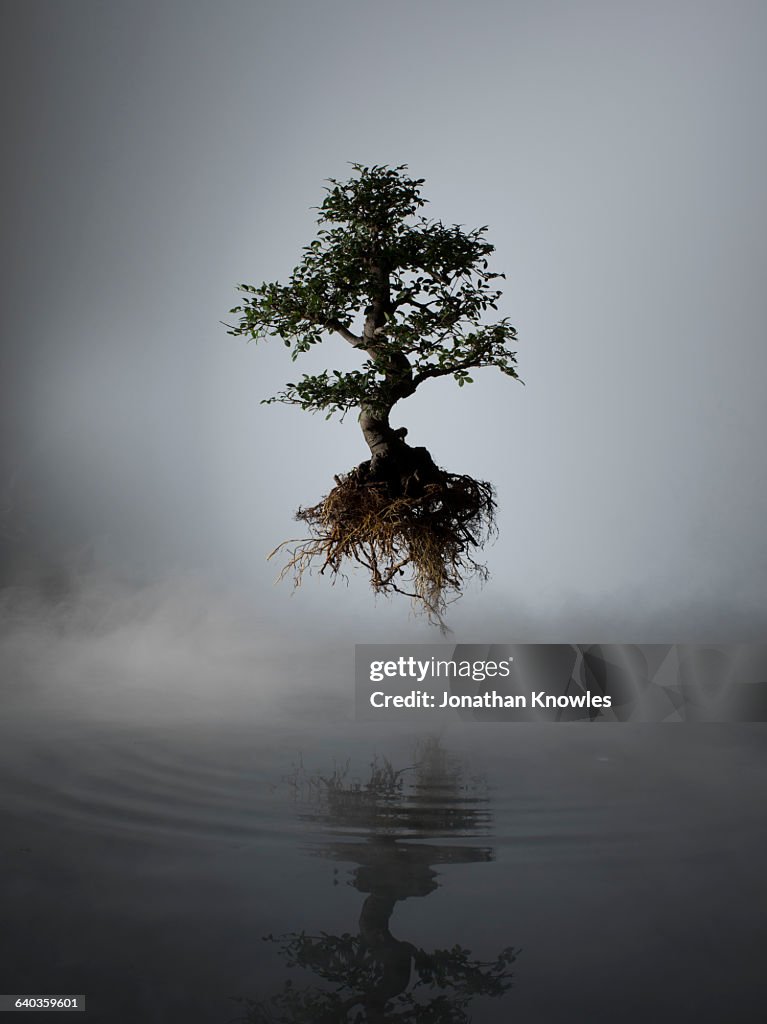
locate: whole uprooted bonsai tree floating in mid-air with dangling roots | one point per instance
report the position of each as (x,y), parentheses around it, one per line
(412,296)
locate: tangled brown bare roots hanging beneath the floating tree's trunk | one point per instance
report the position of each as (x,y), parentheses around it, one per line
(418,546)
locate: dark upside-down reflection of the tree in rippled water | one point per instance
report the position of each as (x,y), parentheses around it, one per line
(372,977)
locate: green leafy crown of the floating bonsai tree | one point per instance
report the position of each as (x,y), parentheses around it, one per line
(411,294)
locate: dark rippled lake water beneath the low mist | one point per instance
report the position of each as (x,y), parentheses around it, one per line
(175,850)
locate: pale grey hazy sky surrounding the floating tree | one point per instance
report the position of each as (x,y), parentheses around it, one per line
(159,153)
